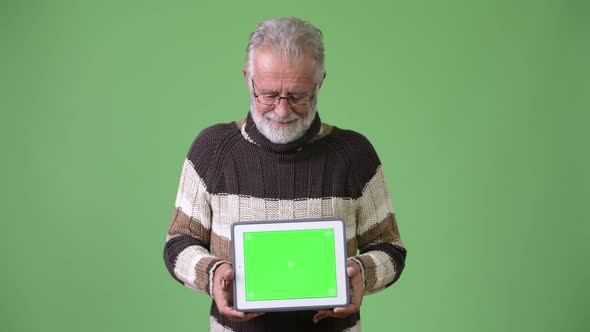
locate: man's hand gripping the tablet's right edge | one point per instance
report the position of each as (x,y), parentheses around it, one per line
(357,290)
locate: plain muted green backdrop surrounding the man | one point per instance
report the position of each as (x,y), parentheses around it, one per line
(479,111)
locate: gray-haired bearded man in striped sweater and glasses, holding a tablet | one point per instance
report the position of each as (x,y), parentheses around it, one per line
(282,162)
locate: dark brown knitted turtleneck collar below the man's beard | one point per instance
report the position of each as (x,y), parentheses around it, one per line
(258,138)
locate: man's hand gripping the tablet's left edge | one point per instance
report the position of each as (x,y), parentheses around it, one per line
(223,294)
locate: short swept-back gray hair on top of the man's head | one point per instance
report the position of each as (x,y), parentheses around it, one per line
(288,37)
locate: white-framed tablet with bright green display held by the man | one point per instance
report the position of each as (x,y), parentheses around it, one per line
(289,265)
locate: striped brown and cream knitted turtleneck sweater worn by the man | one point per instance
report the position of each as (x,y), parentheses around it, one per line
(233,173)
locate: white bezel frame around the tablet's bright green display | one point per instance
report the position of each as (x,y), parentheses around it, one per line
(240,302)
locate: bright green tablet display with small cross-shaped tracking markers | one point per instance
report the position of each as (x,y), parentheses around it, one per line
(294,264)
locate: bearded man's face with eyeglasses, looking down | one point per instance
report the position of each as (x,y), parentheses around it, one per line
(281,122)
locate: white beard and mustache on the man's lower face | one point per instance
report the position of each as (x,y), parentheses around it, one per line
(283,134)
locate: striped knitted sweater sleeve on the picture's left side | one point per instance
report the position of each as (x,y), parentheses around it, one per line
(186,252)
